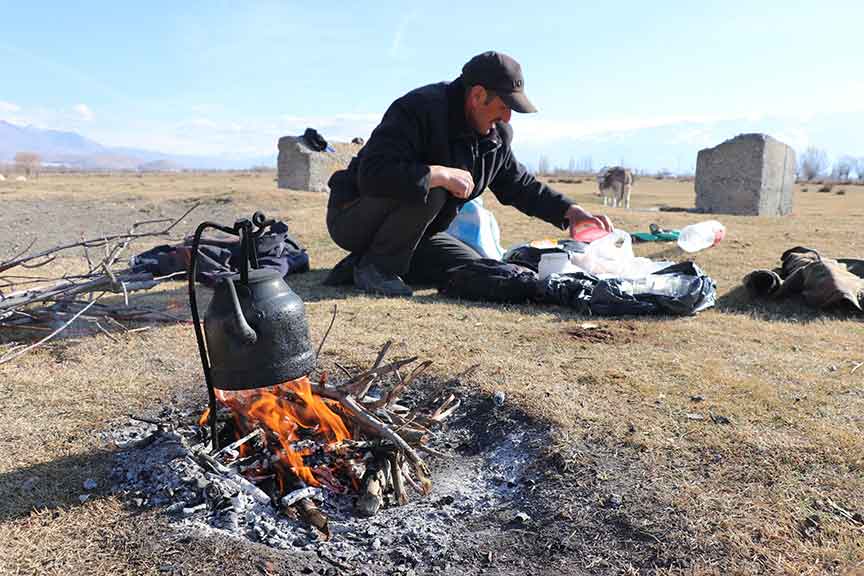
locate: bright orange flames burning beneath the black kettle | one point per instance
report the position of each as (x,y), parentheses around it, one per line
(282,410)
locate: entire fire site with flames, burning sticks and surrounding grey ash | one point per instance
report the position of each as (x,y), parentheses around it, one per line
(358,501)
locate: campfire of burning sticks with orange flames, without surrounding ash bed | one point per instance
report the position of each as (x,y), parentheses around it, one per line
(292,444)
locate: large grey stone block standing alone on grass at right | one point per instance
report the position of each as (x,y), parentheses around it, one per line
(751,174)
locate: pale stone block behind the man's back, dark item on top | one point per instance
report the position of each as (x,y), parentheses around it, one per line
(302,168)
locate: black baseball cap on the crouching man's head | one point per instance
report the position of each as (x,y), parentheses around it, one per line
(501,73)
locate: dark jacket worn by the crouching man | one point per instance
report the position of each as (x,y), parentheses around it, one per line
(425,127)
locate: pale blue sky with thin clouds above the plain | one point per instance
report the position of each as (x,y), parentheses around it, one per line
(229,78)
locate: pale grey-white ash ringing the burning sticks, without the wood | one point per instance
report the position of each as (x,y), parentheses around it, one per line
(156,470)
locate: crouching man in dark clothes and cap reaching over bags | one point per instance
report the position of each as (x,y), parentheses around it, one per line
(436,148)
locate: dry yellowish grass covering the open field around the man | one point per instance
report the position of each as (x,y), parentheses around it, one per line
(779,373)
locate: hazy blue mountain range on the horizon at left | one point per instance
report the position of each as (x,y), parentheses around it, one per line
(72,150)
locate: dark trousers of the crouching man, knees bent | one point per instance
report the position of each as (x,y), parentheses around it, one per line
(391,235)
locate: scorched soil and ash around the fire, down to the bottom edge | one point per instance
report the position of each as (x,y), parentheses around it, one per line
(507,499)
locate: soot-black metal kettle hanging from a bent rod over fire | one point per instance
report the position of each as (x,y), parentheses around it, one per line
(255,326)
